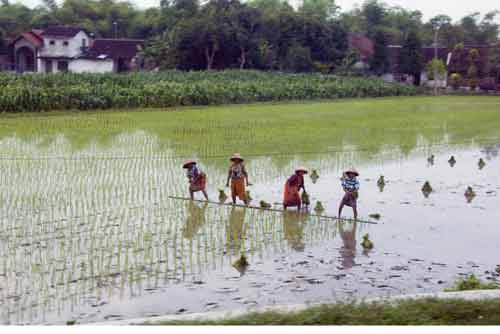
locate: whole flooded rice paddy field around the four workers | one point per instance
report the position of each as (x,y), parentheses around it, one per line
(88,231)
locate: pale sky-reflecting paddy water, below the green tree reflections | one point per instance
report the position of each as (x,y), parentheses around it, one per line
(92,235)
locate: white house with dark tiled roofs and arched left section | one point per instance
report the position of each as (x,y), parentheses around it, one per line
(72,49)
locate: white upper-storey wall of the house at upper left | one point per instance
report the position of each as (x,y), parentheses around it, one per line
(60,50)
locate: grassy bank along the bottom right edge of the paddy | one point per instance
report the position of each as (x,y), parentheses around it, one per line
(415,312)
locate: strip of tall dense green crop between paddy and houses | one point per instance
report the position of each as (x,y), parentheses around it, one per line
(172,88)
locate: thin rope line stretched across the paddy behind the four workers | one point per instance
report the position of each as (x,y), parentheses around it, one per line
(224,156)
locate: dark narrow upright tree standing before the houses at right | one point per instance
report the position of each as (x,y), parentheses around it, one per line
(411,56)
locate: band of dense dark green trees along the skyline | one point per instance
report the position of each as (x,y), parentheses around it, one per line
(258,34)
